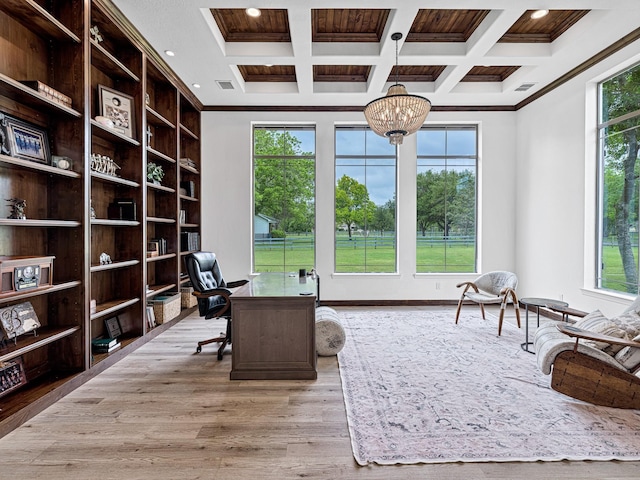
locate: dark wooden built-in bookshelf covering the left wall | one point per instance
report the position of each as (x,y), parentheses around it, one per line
(68,210)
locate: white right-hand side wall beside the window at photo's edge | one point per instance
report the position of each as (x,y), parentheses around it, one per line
(556,200)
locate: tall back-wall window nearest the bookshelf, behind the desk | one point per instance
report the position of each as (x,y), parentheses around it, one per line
(284,198)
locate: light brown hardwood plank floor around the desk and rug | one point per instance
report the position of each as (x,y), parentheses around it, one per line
(164,412)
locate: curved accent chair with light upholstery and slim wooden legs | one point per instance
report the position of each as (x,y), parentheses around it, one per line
(492,288)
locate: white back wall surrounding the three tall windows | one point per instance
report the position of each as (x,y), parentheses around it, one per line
(227,201)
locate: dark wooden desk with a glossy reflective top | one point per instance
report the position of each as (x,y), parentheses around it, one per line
(273,328)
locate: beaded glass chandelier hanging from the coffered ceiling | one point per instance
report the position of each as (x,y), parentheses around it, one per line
(397,114)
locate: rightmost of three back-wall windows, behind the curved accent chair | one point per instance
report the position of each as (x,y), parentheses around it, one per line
(446,203)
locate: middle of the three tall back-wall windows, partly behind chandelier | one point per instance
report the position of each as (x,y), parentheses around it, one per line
(365,202)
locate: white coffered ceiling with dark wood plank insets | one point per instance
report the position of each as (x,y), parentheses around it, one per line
(331,53)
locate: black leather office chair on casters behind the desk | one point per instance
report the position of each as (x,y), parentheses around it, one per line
(212,292)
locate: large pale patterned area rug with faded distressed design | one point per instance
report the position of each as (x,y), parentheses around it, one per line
(420,389)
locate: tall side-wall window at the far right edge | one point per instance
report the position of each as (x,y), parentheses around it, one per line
(619,134)
